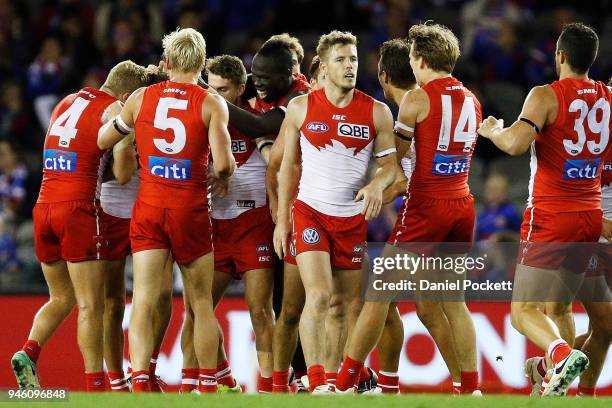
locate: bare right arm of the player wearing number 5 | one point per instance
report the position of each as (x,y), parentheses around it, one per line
(218,136)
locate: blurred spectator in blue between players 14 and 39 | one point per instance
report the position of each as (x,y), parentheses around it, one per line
(497,215)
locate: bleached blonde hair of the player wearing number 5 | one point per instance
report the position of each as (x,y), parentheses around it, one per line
(185,49)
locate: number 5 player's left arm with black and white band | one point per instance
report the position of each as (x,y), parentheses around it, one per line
(122,124)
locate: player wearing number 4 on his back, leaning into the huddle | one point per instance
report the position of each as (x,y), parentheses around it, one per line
(68,233)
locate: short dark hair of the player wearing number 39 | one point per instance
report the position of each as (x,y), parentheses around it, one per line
(579,42)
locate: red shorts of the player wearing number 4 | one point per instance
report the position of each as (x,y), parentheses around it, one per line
(68,230)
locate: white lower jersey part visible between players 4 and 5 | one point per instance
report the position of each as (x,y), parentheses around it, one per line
(118,199)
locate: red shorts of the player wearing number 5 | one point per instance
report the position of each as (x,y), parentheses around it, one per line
(186,232)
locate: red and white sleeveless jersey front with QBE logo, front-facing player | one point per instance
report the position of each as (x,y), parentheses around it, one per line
(337,145)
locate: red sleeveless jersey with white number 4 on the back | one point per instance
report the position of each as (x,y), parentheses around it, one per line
(72,161)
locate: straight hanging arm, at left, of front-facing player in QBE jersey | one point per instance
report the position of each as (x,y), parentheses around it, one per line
(296,113)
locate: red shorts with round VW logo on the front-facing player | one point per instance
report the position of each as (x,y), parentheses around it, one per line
(343,237)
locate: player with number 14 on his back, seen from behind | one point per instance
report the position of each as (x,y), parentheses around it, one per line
(442,117)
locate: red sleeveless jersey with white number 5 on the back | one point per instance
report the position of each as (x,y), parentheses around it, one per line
(173,147)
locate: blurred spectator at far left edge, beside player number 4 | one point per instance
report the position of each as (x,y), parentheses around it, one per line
(13,177)
